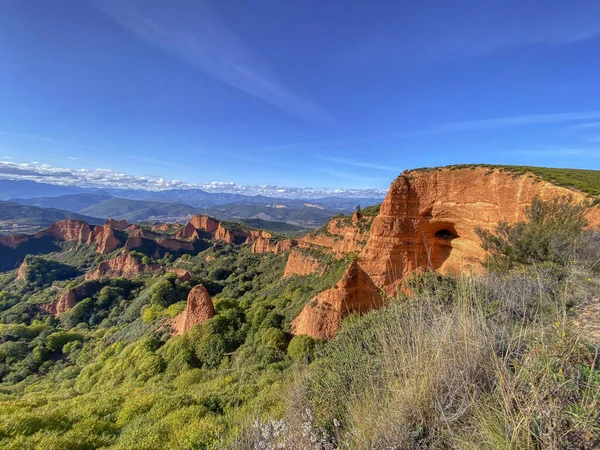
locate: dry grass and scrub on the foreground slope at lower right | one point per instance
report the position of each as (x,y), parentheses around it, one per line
(493,363)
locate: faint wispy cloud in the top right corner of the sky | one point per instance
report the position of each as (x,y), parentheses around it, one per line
(452,33)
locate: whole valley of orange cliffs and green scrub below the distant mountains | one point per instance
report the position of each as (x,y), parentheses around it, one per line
(117,334)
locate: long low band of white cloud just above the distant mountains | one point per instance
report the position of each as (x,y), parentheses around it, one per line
(105,178)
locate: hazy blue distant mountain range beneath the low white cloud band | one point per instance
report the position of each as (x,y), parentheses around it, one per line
(174,204)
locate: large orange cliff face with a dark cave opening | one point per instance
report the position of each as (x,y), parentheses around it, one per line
(428,219)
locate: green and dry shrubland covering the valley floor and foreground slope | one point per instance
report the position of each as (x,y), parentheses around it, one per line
(489,362)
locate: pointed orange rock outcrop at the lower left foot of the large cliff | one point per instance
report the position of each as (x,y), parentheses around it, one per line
(322,316)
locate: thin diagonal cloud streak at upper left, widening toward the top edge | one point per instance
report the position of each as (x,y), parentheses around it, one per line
(193,32)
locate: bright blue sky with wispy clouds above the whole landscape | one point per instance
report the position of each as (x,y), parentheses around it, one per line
(338,94)
